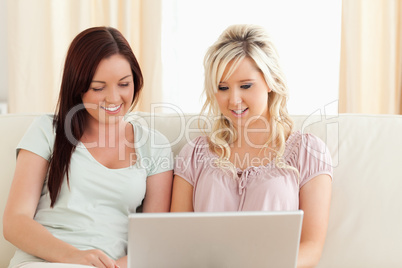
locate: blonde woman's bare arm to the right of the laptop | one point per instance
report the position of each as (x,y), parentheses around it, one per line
(315,198)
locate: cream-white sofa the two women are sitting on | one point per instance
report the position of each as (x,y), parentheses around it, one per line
(365,227)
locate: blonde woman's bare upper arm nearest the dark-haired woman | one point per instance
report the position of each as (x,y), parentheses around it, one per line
(182,198)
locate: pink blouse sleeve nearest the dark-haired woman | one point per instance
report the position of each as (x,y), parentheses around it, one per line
(189,162)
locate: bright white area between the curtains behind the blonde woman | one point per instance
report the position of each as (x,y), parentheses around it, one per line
(307,35)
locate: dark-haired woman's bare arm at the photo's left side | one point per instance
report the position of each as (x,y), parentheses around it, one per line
(24,232)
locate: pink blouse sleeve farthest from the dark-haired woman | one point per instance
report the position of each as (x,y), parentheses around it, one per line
(314,158)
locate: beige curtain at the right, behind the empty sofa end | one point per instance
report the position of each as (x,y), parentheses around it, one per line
(371,57)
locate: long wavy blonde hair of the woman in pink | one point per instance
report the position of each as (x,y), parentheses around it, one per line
(233,45)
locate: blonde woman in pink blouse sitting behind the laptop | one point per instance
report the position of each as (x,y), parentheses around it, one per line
(252,159)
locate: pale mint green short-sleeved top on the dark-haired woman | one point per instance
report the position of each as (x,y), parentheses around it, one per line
(92,212)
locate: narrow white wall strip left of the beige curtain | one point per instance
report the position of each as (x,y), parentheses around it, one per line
(3,52)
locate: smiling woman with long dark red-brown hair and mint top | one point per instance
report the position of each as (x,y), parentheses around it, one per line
(78,173)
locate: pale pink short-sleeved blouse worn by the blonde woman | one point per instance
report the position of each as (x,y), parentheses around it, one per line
(257,188)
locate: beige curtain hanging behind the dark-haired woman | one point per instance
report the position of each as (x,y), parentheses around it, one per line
(40,31)
